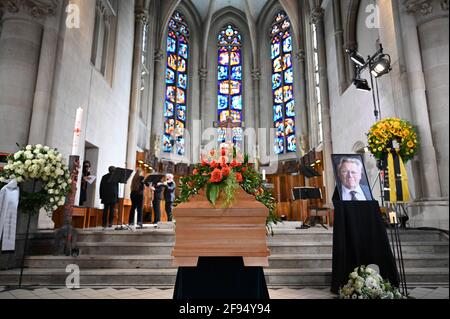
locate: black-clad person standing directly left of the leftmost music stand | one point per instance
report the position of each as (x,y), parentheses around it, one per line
(109,194)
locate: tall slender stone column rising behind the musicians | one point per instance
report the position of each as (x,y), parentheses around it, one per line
(133,120)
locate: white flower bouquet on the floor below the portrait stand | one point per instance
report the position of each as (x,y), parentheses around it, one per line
(366,283)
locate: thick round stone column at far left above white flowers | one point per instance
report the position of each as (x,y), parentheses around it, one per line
(20,44)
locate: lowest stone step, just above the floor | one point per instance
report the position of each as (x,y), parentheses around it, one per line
(164,277)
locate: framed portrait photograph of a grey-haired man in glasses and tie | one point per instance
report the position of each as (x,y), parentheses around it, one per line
(351,177)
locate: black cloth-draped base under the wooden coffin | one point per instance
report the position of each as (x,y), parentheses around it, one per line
(220,278)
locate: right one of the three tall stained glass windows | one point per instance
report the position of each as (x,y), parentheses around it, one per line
(282,85)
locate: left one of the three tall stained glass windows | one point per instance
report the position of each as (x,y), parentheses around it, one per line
(176,85)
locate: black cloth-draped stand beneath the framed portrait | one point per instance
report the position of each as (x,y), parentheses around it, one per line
(360,238)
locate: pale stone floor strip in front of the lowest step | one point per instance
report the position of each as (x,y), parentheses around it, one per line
(167,293)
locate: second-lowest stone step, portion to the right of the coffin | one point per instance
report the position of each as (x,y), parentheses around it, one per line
(325,261)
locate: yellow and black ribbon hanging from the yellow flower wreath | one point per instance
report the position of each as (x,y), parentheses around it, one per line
(396,179)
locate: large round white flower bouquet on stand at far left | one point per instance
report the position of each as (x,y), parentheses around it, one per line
(43,164)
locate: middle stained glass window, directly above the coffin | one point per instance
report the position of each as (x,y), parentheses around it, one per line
(229,76)
